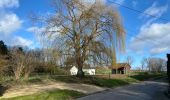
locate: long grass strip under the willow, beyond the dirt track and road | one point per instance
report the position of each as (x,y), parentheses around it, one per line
(93,80)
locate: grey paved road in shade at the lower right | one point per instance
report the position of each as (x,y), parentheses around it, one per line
(149,90)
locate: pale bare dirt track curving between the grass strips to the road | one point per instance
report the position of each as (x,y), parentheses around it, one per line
(31,89)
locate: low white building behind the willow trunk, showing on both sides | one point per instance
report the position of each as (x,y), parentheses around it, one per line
(74,70)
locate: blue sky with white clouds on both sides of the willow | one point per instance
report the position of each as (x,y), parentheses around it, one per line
(146,36)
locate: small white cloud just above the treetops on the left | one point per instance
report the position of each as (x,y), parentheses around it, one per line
(20,41)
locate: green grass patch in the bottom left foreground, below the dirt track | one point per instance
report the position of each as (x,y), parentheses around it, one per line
(50,95)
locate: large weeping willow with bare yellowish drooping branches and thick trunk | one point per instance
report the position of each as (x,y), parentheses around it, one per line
(88,32)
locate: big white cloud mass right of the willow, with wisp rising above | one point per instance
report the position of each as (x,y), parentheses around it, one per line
(153,38)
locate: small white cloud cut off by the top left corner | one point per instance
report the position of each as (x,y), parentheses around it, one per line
(9,3)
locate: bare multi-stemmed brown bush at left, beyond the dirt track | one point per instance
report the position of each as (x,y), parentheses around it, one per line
(23,62)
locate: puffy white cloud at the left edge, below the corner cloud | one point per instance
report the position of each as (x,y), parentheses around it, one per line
(9,22)
